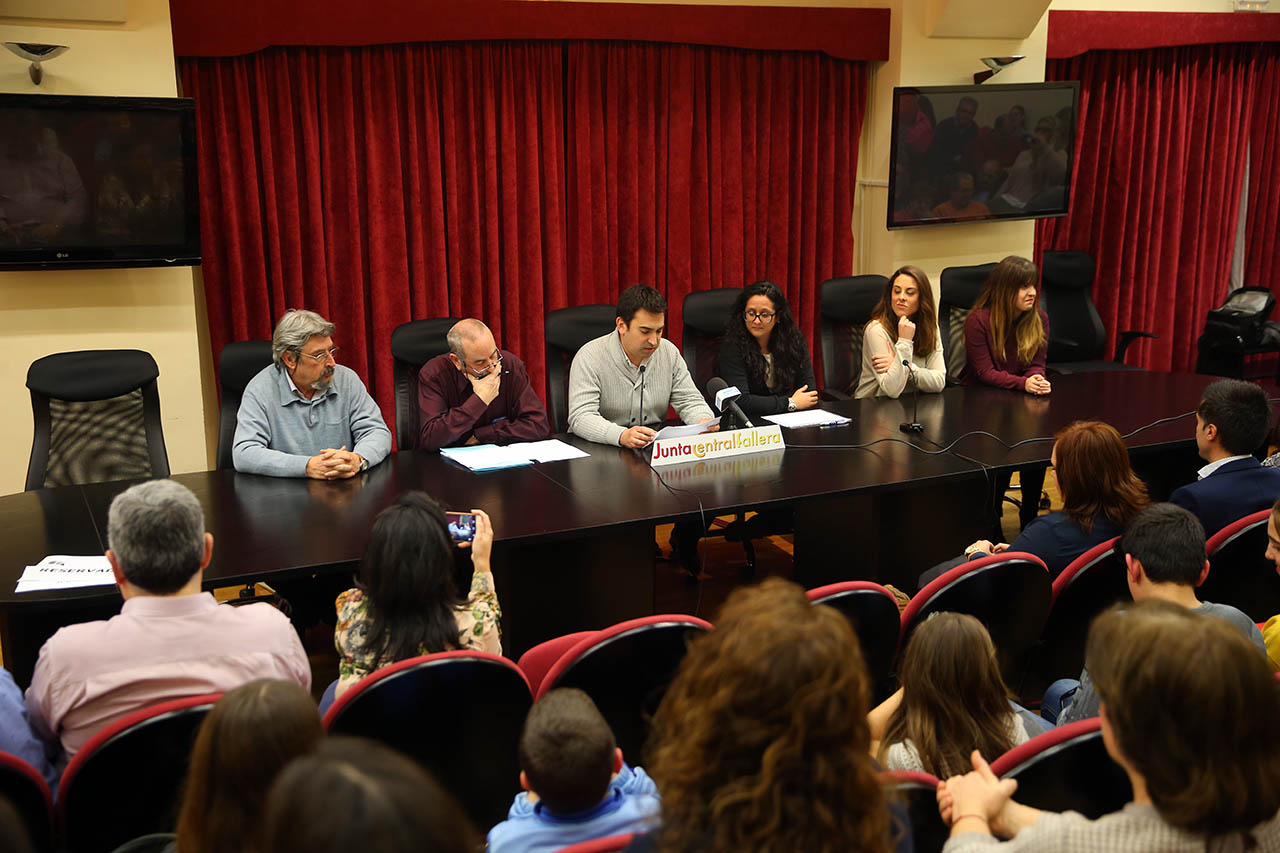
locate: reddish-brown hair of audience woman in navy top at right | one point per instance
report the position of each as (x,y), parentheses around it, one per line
(1095,477)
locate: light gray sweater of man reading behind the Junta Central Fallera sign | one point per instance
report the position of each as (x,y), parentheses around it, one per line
(606,390)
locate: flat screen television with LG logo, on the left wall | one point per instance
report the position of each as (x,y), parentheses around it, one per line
(98,183)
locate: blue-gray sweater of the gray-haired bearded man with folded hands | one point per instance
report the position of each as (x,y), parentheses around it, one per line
(278,430)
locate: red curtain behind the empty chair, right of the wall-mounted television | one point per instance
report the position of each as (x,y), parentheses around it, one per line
(1156,190)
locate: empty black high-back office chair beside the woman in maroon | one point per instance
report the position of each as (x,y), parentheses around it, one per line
(1077,335)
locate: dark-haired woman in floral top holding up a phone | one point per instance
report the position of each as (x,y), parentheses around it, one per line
(405,603)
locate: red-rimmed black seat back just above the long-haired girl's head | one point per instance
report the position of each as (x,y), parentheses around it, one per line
(1007,592)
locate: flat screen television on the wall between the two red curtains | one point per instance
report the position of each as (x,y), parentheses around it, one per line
(981,153)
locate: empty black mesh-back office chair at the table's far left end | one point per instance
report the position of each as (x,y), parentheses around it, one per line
(98,418)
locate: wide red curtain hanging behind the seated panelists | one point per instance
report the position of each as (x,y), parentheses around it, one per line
(505,180)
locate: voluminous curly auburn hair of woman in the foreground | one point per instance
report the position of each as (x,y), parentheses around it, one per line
(762,742)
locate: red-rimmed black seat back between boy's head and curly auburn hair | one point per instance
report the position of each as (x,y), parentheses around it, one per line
(627,669)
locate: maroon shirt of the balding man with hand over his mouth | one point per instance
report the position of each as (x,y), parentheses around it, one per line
(451,413)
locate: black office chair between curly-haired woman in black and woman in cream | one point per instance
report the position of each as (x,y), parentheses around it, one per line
(845,307)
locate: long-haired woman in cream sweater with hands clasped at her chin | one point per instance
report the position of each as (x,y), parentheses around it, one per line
(904,329)
